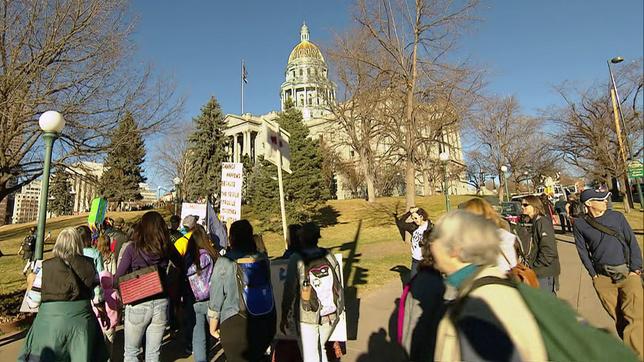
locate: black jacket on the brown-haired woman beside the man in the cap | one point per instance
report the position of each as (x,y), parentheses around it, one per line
(544,257)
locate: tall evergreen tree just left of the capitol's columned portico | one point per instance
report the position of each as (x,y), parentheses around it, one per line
(206,151)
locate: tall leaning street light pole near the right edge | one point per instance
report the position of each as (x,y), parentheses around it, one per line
(624,147)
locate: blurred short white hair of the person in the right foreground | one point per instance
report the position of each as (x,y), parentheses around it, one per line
(474,237)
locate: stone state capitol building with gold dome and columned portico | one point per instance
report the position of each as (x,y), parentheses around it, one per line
(308,86)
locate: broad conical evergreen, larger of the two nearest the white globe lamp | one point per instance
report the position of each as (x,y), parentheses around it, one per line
(123,171)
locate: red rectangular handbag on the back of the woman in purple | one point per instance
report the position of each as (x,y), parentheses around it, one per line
(141,284)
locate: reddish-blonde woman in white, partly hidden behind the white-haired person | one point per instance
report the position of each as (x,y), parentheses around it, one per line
(508,256)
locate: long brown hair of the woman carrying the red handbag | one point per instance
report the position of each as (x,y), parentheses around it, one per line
(151,235)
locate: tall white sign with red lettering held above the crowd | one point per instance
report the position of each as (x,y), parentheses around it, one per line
(232,179)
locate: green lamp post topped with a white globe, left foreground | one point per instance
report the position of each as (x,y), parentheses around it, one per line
(51,123)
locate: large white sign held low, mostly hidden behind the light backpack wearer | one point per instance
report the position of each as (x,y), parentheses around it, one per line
(278,278)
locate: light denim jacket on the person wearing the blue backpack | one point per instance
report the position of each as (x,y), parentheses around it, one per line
(224,293)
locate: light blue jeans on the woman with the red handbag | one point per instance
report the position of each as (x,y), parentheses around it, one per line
(147,319)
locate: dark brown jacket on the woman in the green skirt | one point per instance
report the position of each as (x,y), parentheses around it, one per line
(62,282)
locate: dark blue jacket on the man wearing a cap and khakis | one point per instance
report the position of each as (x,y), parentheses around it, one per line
(606,249)
